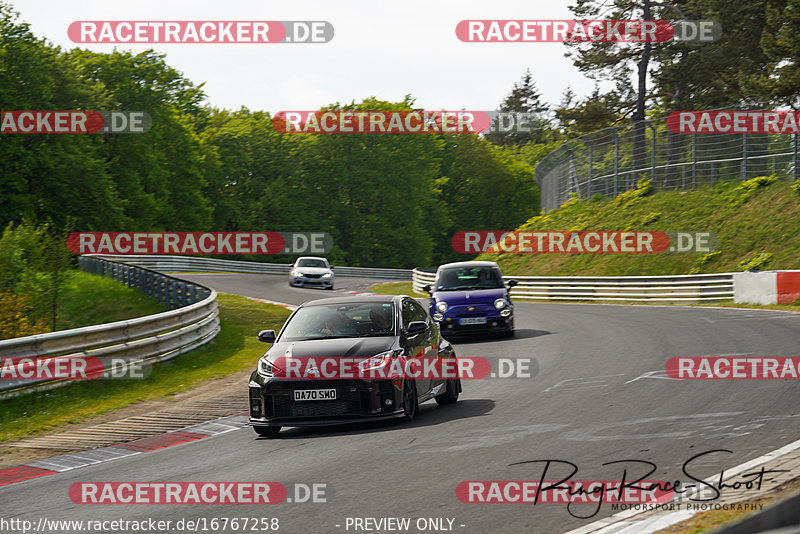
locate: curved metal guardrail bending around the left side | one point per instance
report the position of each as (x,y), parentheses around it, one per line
(192,322)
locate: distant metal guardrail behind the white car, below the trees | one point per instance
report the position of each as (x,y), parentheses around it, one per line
(173,264)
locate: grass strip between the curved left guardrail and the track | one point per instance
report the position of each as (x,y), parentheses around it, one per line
(234,349)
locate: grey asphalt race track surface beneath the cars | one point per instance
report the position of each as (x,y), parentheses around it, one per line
(599,394)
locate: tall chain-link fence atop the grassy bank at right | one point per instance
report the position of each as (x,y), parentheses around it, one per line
(610,161)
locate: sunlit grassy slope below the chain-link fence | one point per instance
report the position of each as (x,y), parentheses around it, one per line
(748,219)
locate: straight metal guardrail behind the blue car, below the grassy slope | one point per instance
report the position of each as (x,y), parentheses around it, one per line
(671,288)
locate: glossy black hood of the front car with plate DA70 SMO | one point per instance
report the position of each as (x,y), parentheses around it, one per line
(362,347)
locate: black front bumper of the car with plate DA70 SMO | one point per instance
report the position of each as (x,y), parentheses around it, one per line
(272,402)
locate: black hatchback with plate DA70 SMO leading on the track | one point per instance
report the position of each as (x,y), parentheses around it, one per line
(299,380)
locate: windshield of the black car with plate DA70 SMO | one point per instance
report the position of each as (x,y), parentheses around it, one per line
(360,319)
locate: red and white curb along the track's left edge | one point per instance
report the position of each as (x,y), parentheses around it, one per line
(76,460)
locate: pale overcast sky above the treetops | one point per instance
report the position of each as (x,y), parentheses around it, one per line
(382,49)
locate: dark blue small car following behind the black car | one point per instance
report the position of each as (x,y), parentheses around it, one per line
(469,297)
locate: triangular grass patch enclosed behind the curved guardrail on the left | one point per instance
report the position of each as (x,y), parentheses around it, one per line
(88,300)
